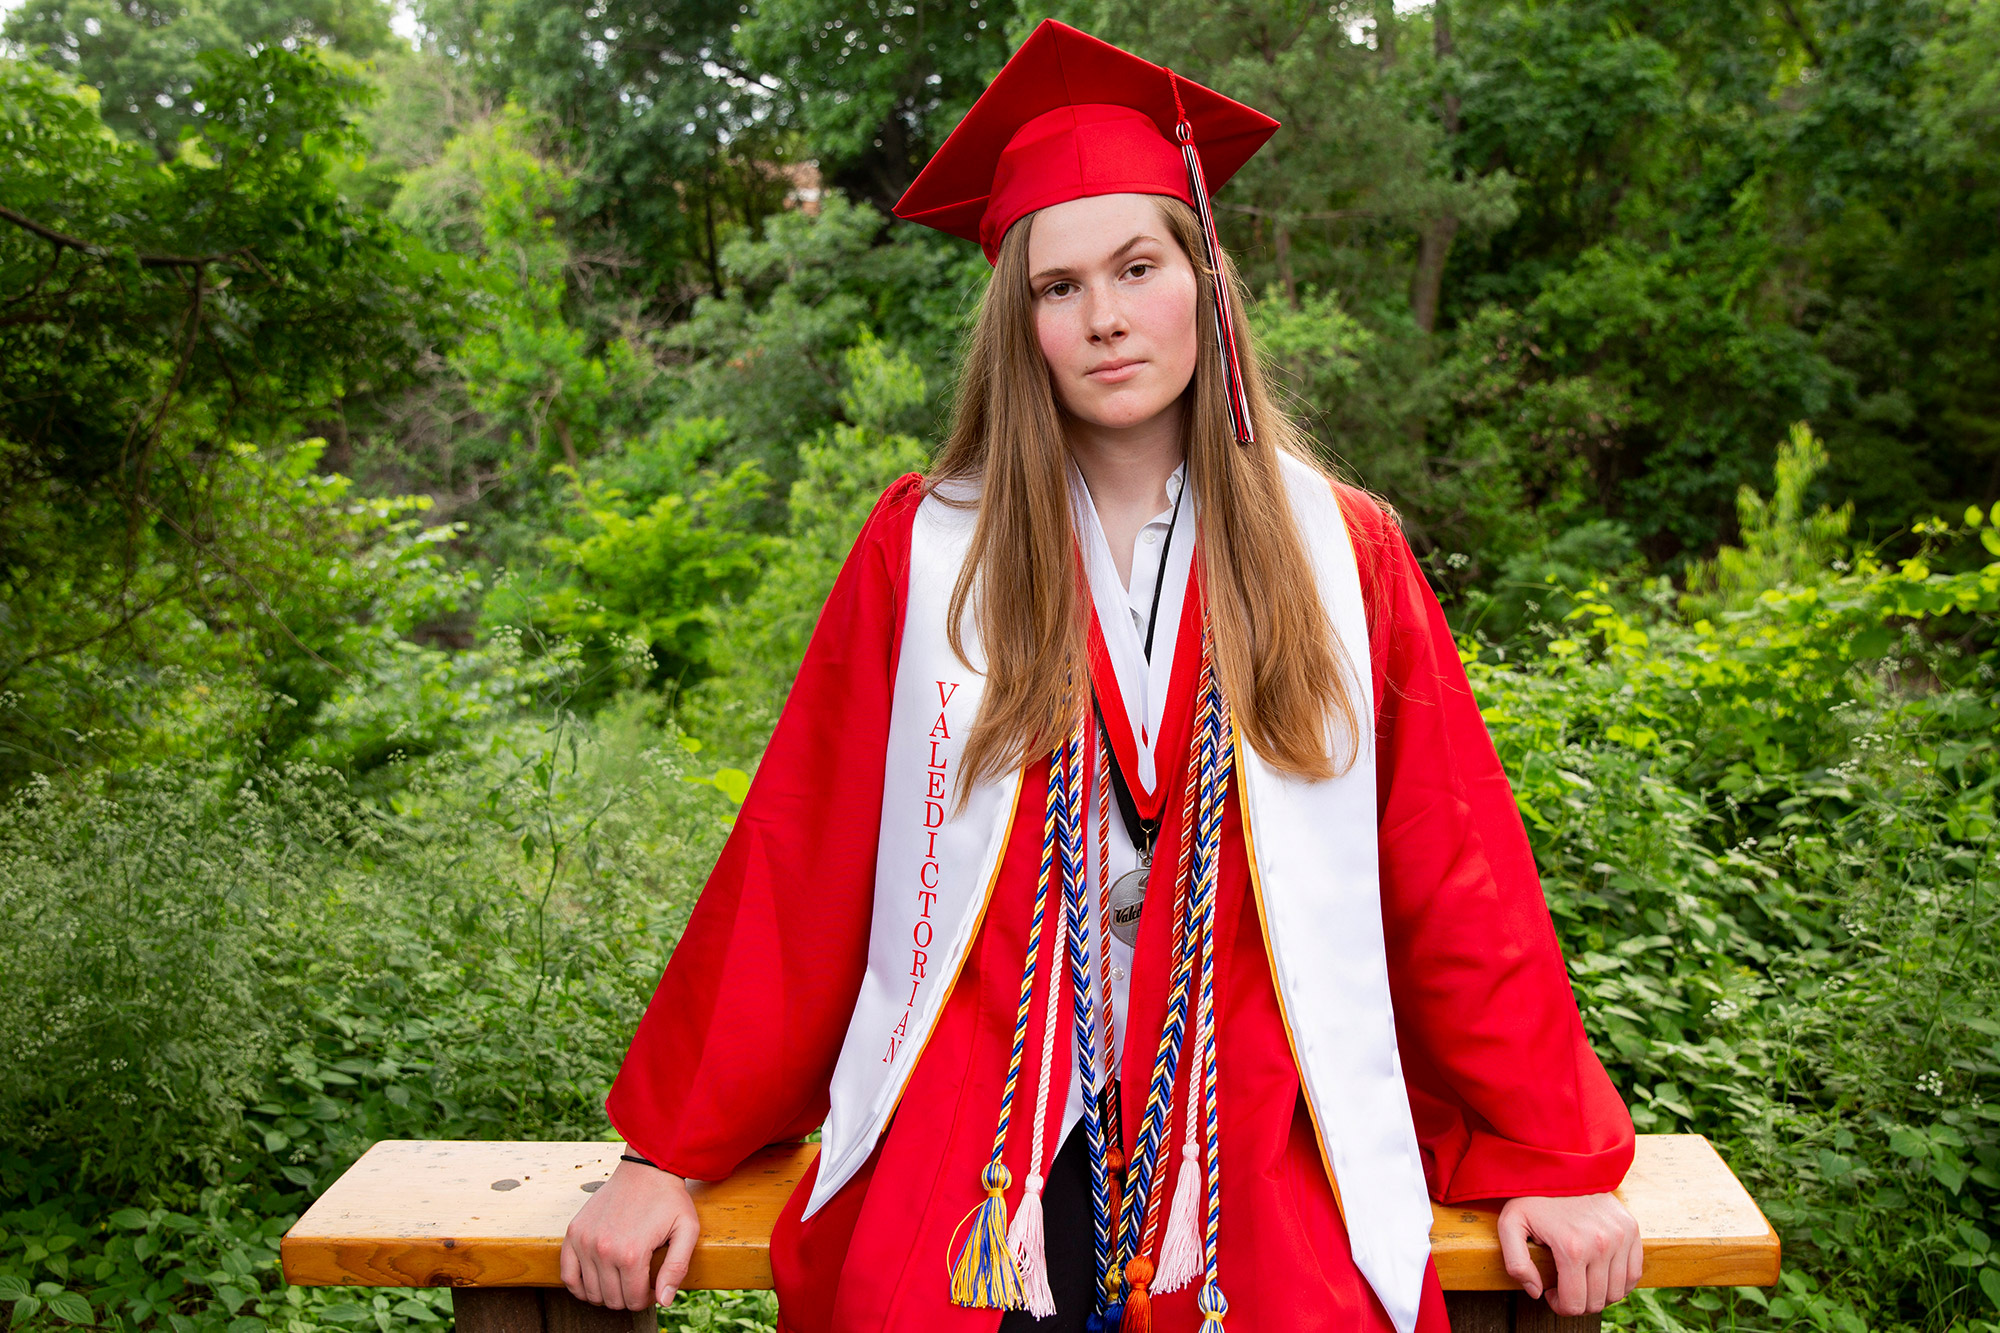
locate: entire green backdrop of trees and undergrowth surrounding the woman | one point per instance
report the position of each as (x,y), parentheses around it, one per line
(345,810)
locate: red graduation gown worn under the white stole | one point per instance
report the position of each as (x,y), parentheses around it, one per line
(741,1040)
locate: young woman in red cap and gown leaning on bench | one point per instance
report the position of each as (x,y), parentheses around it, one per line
(1131,888)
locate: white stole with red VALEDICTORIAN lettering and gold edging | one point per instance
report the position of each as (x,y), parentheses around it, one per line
(1313,870)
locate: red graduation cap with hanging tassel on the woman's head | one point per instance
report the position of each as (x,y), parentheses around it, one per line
(1073,117)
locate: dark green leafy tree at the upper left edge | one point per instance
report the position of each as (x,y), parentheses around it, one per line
(165,327)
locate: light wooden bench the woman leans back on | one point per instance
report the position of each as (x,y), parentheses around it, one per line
(489,1220)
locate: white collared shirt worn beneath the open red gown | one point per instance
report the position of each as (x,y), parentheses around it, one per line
(1143,684)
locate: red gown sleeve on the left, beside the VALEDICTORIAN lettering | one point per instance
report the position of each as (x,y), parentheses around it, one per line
(739,1044)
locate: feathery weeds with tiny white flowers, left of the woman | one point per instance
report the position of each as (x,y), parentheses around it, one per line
(461,960)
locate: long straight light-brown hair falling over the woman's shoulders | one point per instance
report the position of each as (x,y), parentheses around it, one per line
(1277,659)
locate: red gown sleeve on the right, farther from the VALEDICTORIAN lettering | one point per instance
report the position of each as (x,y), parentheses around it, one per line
(1507,1092)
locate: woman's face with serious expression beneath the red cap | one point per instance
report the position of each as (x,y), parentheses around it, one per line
(1113,309)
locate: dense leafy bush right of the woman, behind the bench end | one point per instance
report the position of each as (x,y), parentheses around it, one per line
(1769,846)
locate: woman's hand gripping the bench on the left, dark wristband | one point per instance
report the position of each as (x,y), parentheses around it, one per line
(607,1254)
